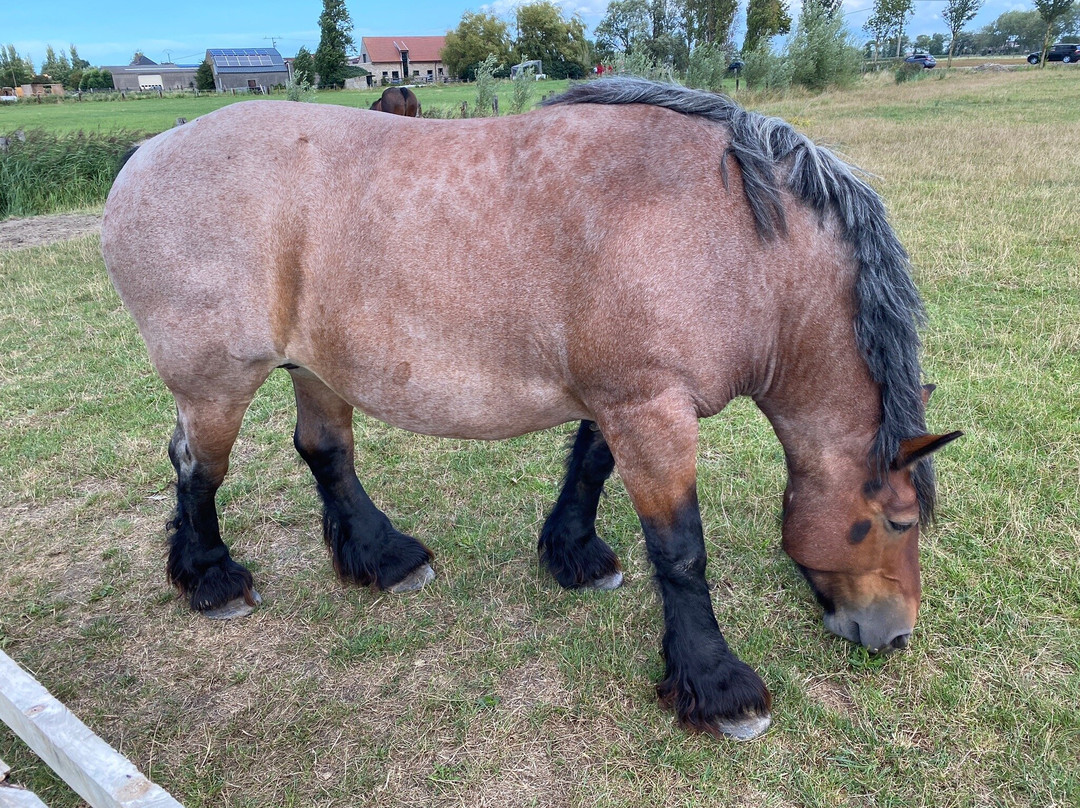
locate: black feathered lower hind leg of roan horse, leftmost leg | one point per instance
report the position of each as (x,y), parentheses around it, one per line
(199,564)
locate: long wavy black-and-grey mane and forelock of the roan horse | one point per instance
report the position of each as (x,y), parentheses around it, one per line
(772,156)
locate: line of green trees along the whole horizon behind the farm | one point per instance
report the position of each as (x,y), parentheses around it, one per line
(692,39)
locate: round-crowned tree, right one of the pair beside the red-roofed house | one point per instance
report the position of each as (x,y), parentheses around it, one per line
(544,34)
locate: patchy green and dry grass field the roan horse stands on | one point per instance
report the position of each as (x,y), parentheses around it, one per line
(494,688)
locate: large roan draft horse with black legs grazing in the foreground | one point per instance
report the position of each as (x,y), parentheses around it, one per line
(701,253)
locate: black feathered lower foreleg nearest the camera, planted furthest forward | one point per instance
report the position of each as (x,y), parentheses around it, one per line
(706,684)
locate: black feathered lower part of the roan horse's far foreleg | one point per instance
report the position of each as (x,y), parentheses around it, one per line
(569,545)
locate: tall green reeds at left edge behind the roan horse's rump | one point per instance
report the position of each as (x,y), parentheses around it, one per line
(46,172)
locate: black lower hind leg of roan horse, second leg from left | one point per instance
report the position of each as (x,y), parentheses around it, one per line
(364,545)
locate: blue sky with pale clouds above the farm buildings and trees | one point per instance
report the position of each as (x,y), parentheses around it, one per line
(182,33)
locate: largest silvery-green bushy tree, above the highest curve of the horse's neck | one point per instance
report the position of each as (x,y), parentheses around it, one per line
(821,50)
